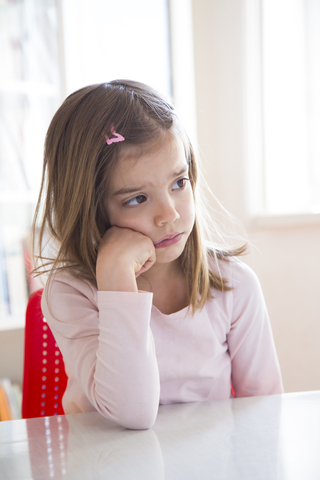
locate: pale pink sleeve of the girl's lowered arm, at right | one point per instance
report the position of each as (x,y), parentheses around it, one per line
(254,363)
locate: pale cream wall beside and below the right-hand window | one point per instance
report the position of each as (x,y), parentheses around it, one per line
(287,258)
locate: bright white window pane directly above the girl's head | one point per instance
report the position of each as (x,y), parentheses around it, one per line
(105,39)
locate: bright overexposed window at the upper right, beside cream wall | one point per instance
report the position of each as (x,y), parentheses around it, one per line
(284,106)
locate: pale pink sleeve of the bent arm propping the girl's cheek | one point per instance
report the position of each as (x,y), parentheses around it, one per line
(107,344)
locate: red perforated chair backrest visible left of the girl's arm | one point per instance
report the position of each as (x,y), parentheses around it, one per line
(44,376)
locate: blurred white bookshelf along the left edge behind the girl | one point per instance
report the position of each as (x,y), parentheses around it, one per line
(30,93)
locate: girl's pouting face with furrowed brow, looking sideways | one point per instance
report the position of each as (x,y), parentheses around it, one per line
(150,193)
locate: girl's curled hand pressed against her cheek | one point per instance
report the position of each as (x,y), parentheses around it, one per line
(123,255)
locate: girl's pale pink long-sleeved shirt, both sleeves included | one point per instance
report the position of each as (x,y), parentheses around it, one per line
(123,356)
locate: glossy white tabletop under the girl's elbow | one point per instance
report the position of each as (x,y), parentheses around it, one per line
(273,437)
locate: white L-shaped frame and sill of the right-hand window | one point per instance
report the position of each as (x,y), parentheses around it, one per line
(255,193)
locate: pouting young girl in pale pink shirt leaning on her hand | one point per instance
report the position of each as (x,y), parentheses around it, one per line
(143,308)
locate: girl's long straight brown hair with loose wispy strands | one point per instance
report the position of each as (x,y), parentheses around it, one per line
(78,165)
